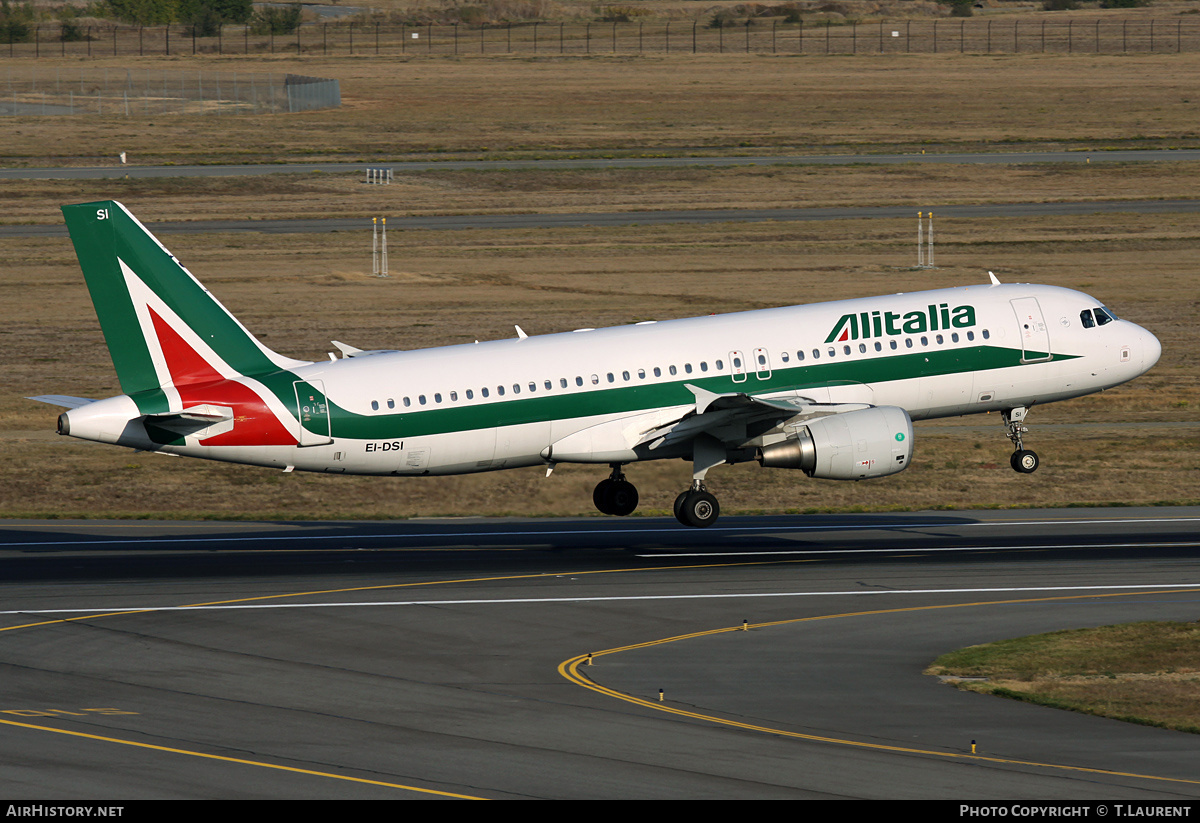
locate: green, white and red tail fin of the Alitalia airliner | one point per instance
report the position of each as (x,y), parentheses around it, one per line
(161,326)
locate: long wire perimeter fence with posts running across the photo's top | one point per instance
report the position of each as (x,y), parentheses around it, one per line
(975,37)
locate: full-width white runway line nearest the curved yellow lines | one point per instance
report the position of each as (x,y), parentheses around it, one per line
(500,602)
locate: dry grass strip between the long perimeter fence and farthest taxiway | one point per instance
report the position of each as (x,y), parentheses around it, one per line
(517,106)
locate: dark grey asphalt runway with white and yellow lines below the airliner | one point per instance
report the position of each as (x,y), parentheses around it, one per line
(449,658)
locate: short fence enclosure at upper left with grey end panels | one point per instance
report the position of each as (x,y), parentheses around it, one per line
(37,91)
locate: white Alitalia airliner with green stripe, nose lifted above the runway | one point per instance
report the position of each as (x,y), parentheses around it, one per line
(830,389)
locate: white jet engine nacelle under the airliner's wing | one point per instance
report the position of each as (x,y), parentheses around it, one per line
(868,443)
